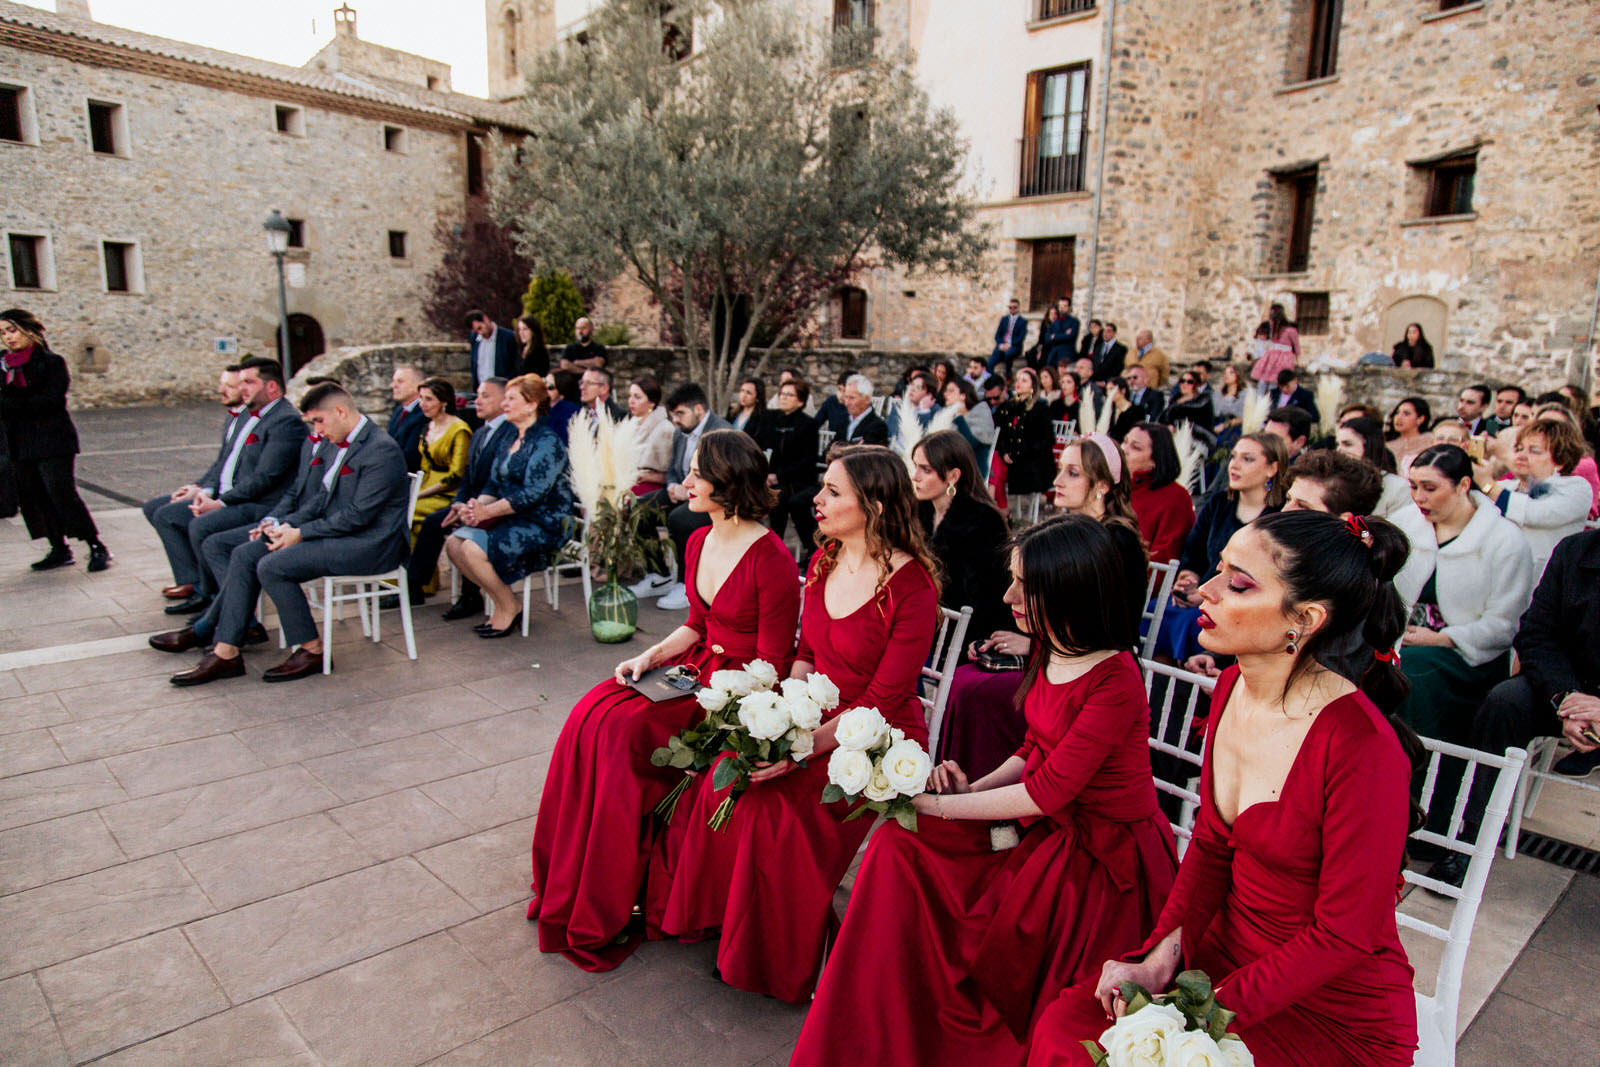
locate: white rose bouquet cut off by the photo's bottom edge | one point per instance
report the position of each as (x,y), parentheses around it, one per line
(1185,1028)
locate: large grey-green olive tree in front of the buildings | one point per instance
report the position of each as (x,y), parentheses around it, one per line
(758,172)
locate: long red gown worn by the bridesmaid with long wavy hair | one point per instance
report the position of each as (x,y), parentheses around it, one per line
(769,877)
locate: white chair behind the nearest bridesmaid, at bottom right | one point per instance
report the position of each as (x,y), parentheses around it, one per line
(1436,1017)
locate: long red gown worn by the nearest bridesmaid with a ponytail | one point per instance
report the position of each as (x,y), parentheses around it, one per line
(1292,911)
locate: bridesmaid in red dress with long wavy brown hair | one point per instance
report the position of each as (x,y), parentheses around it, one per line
(767,881)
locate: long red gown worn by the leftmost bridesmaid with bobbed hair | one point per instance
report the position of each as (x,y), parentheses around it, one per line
(593,841)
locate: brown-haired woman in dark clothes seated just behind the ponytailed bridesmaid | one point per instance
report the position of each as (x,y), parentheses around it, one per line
(1255,487)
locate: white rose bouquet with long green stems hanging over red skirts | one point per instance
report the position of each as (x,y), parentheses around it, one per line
(751,717)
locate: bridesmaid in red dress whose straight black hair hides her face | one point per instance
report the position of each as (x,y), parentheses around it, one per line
(950,948)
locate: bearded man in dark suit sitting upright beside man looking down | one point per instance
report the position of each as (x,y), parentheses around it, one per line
(257,471)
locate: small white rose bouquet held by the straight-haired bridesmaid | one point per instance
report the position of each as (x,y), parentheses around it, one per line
(876,765)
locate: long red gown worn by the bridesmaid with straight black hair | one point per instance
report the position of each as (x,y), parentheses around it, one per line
(950,949)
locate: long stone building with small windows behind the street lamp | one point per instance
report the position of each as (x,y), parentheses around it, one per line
(138,174)
